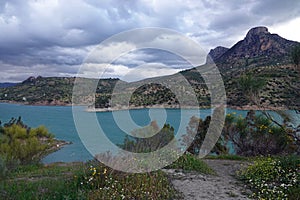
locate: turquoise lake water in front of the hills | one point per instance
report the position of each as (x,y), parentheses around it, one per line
(59,121)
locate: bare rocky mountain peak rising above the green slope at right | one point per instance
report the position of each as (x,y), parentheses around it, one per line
(258,48)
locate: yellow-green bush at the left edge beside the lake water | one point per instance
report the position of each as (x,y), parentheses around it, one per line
(19,143)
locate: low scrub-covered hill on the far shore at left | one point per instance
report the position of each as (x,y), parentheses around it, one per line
(52,90)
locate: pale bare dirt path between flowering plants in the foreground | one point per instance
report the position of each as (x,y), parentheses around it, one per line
(194,186)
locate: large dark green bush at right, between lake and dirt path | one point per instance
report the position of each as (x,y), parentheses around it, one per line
(256,135)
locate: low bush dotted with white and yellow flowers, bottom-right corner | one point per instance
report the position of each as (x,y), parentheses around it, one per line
(273,178)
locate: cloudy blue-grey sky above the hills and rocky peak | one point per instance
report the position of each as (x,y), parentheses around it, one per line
(55,37)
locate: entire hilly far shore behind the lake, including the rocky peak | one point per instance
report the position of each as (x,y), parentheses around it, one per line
(262,54)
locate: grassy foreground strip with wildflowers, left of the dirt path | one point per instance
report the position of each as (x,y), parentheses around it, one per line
(90,180)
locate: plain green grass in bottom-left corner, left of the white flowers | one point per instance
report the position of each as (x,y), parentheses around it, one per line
(40,182)
